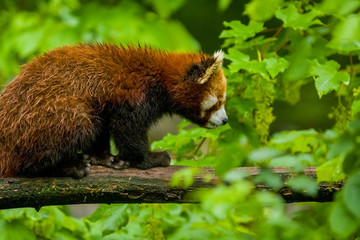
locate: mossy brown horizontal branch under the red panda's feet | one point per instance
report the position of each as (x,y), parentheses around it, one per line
(105,185)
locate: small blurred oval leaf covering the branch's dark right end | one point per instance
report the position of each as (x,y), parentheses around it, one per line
(304,184)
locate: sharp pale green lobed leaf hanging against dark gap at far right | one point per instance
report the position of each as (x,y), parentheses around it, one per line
(327,77)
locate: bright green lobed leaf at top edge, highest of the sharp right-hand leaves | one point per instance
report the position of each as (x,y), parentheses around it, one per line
(292,18)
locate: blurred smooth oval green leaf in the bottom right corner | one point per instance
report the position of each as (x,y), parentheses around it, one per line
(341,221)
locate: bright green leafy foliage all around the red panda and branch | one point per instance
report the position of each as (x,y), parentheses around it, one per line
(272,54)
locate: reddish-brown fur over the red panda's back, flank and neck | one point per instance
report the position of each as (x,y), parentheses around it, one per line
(56,99)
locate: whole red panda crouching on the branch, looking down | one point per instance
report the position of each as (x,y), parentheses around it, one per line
(72,99)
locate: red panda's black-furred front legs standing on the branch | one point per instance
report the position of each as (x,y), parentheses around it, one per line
(129,125)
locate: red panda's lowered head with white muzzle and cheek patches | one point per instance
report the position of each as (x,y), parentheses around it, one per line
(207,85)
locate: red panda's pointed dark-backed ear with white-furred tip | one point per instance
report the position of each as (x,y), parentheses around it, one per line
(201,72)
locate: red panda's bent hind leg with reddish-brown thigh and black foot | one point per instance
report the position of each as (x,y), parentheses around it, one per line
(57,140)
